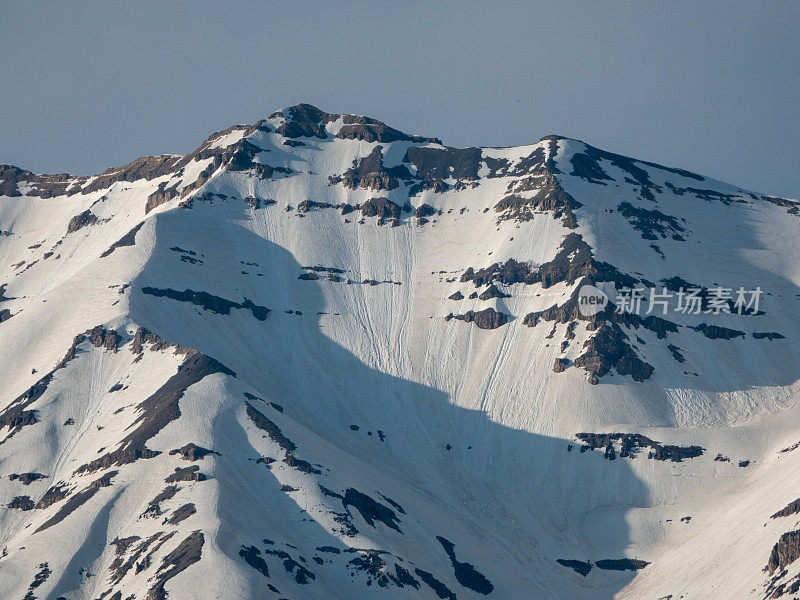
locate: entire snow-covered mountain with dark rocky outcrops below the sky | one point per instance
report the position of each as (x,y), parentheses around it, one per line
(322,358)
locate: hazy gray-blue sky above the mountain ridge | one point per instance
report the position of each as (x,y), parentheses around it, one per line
(709,86)
